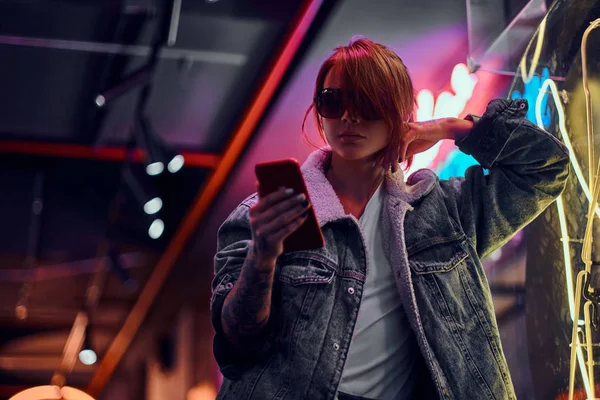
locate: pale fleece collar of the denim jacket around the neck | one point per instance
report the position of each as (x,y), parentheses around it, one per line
(327,205)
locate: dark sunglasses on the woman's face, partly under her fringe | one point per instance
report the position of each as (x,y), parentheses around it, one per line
(333,102)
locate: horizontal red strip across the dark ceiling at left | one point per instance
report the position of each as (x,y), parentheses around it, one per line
(114,153)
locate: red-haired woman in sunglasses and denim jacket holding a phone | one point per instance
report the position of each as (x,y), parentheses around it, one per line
(396,305)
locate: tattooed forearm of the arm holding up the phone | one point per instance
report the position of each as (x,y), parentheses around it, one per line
(247,307)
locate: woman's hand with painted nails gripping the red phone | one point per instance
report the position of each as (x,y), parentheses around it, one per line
(273,218)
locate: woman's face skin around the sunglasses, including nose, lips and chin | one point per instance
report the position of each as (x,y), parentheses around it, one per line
(354,139)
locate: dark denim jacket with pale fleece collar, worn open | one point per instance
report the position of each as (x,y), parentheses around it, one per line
(435,232)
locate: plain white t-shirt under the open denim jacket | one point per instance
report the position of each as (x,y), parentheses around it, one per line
(381,357)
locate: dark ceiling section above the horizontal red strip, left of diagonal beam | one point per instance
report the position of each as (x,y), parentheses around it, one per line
(48,92)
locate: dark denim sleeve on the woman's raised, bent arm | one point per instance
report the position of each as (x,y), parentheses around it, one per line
(527,171)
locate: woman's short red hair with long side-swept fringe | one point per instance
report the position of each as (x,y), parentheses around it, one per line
(373,72)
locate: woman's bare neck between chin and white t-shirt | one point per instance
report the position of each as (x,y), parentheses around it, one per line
(357,180)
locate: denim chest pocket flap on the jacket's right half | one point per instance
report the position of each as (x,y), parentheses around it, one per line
(438,256)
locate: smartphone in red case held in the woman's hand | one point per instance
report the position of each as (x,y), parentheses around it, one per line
(273,175)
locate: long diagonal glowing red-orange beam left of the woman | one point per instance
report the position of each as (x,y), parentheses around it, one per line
(206,195)
